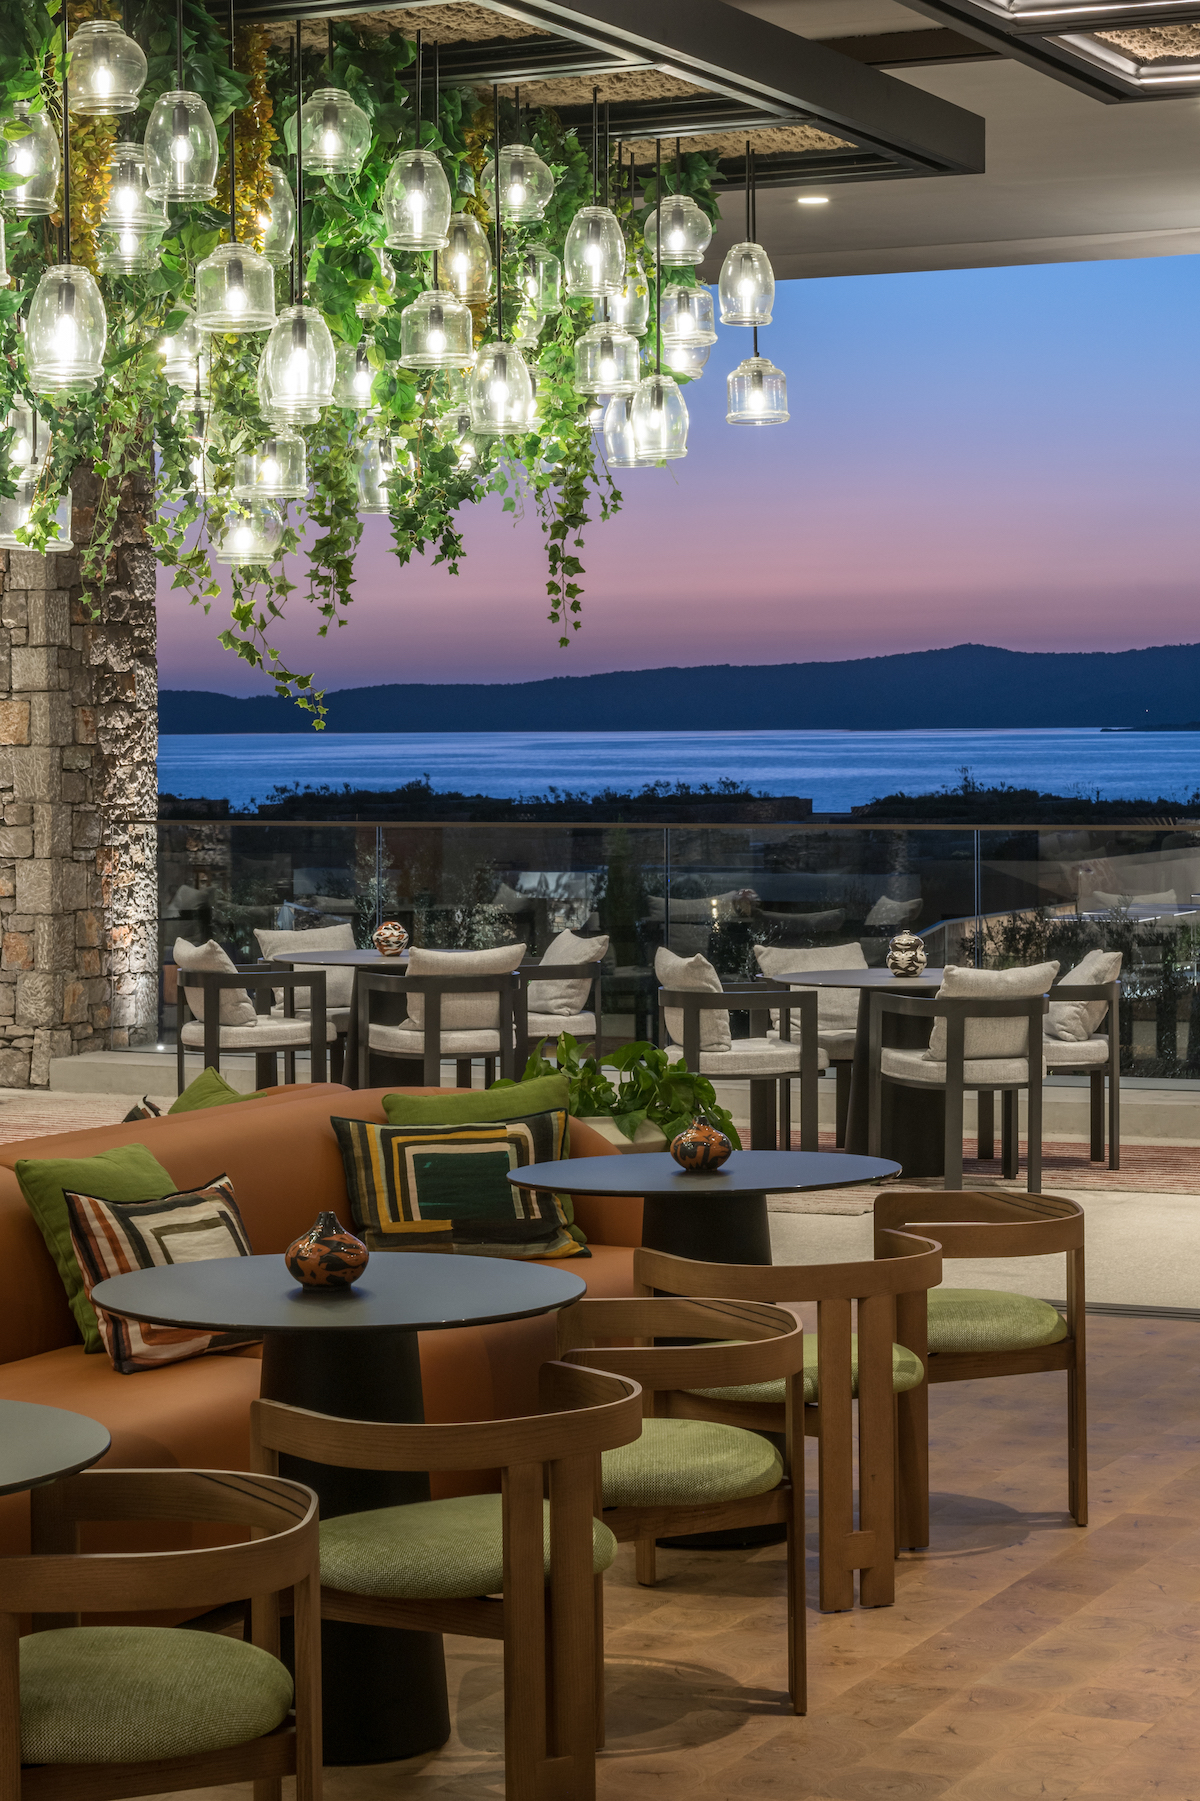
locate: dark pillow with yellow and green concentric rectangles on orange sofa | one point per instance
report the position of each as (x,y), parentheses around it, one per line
(446,1188)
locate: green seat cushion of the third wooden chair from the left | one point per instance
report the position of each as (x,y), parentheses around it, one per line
(689,1462)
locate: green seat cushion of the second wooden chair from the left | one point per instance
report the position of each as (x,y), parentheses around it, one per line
(432,1550)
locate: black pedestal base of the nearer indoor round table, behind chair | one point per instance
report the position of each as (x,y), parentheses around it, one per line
(383,1692)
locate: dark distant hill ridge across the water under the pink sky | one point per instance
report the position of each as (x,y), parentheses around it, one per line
(963,687)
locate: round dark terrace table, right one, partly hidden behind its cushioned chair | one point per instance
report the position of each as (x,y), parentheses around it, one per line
(913,1119)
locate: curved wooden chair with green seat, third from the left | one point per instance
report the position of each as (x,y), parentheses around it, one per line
(698,1476)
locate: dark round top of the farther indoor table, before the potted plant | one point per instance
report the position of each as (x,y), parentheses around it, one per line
(659,1175)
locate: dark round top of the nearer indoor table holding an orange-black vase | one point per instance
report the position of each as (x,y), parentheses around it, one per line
(401,1290)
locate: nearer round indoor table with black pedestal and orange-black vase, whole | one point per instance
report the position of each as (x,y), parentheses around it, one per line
(354,1353)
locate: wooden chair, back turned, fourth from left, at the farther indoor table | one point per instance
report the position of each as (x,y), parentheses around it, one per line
(841,1366)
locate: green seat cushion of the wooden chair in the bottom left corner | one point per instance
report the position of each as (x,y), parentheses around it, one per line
(132,1694)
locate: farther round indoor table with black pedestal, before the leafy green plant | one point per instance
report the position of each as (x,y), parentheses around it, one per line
(714,1218)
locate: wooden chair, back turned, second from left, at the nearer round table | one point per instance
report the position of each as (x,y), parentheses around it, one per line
(513,1566)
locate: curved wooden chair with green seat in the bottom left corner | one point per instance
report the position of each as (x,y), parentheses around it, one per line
(98,1712)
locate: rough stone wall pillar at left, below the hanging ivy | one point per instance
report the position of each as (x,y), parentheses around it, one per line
(78,797)
